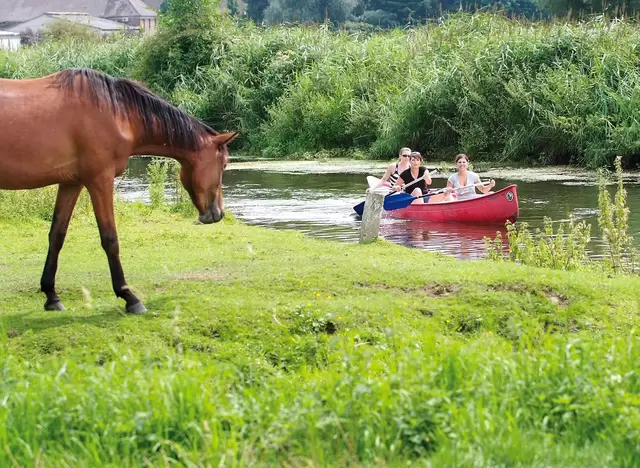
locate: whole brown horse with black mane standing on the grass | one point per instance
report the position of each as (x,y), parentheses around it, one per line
(78,128)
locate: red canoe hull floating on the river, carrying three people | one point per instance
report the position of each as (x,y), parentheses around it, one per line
(497,207)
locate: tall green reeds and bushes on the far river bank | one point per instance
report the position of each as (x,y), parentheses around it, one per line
(493,87)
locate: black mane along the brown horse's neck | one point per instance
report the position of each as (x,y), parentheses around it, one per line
(126,97)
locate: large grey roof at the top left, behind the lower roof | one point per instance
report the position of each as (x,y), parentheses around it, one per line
(23,10)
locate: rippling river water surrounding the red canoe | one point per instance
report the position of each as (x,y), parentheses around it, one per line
(317,198)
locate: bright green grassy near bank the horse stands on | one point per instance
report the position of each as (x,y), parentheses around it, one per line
(265,347)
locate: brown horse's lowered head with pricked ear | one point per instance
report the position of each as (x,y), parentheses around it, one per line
(202,177)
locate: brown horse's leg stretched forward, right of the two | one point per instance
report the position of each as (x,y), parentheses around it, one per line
(101,192)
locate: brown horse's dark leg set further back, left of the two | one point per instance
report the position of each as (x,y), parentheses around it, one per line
(65,202)
